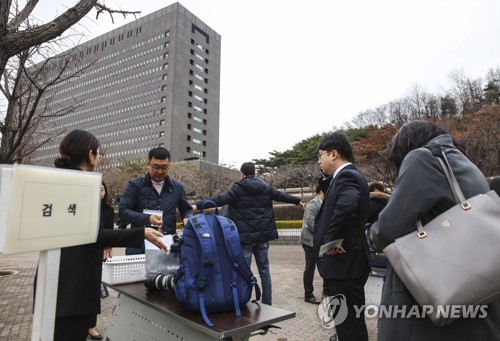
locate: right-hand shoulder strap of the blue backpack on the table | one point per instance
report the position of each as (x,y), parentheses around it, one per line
(233,248)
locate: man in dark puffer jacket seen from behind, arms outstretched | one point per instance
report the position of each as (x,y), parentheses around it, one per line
(250,206)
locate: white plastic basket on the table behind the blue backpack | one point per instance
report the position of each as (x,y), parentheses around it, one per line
(124,269)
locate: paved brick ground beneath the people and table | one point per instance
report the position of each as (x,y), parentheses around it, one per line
(16,298)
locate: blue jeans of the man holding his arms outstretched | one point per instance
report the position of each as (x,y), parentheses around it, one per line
(260,250)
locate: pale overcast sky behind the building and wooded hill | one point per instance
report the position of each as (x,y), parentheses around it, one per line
(291,69)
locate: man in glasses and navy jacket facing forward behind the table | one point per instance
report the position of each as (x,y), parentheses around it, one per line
(152,200)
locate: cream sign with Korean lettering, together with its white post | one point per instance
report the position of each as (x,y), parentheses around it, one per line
(32,218)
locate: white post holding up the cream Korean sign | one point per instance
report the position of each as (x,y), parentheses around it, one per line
(46,295)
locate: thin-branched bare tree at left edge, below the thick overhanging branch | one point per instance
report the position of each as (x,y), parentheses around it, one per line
(28,91)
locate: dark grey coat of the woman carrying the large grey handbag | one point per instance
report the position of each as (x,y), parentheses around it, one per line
(421,191)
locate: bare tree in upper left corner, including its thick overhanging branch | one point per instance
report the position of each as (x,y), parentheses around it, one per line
(25,85)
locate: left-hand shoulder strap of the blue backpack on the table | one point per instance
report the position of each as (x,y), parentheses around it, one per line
(208,250)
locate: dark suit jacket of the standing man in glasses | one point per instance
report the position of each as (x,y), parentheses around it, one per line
(343,214)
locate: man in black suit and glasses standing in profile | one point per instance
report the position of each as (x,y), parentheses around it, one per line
(343,215)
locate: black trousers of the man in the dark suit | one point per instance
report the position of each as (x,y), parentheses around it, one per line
(353,328)
